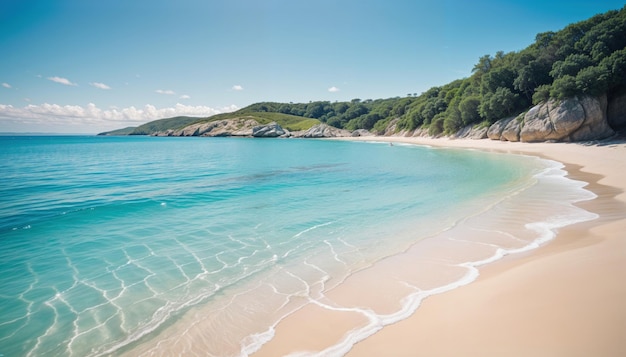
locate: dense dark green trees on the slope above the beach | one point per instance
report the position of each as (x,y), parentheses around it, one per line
(588,57)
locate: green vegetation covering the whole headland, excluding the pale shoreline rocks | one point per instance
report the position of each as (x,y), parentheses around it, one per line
(584,60)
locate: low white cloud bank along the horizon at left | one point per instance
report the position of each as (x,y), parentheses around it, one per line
(71,118)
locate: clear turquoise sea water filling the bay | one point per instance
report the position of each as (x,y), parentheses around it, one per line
(107,241)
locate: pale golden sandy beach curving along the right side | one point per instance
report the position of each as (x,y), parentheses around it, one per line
(567,298)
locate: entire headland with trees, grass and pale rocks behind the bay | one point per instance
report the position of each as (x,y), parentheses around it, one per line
(567,86)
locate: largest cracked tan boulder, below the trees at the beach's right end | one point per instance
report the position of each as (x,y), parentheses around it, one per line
(572,119)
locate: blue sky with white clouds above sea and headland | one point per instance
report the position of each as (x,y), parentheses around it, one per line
(85,66)
